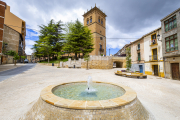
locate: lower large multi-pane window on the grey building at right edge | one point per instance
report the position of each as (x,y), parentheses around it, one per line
(171,43)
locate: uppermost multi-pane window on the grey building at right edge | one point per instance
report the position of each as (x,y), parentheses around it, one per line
(170,23)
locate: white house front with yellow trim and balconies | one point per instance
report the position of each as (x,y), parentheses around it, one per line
(154,64)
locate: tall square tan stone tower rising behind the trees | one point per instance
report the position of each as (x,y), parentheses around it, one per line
(95,19)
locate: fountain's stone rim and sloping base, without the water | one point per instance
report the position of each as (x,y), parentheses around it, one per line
(51,107)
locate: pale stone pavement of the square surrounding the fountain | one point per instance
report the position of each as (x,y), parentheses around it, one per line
(159,96)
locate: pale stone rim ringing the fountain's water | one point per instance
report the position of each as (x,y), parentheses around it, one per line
(47,95)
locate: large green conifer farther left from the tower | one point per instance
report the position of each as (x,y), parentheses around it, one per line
(50,40)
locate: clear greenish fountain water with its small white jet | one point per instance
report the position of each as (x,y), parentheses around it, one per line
(88,91)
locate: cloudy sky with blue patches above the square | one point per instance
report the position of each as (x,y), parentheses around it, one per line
(126,19)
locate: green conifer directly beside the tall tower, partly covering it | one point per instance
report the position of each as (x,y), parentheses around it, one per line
(78,39)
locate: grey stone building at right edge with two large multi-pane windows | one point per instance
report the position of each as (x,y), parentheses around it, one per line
(170,26)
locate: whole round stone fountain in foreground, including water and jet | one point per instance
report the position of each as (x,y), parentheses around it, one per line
(99,101)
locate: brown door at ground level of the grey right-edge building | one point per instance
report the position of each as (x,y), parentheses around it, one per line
(175,71)
